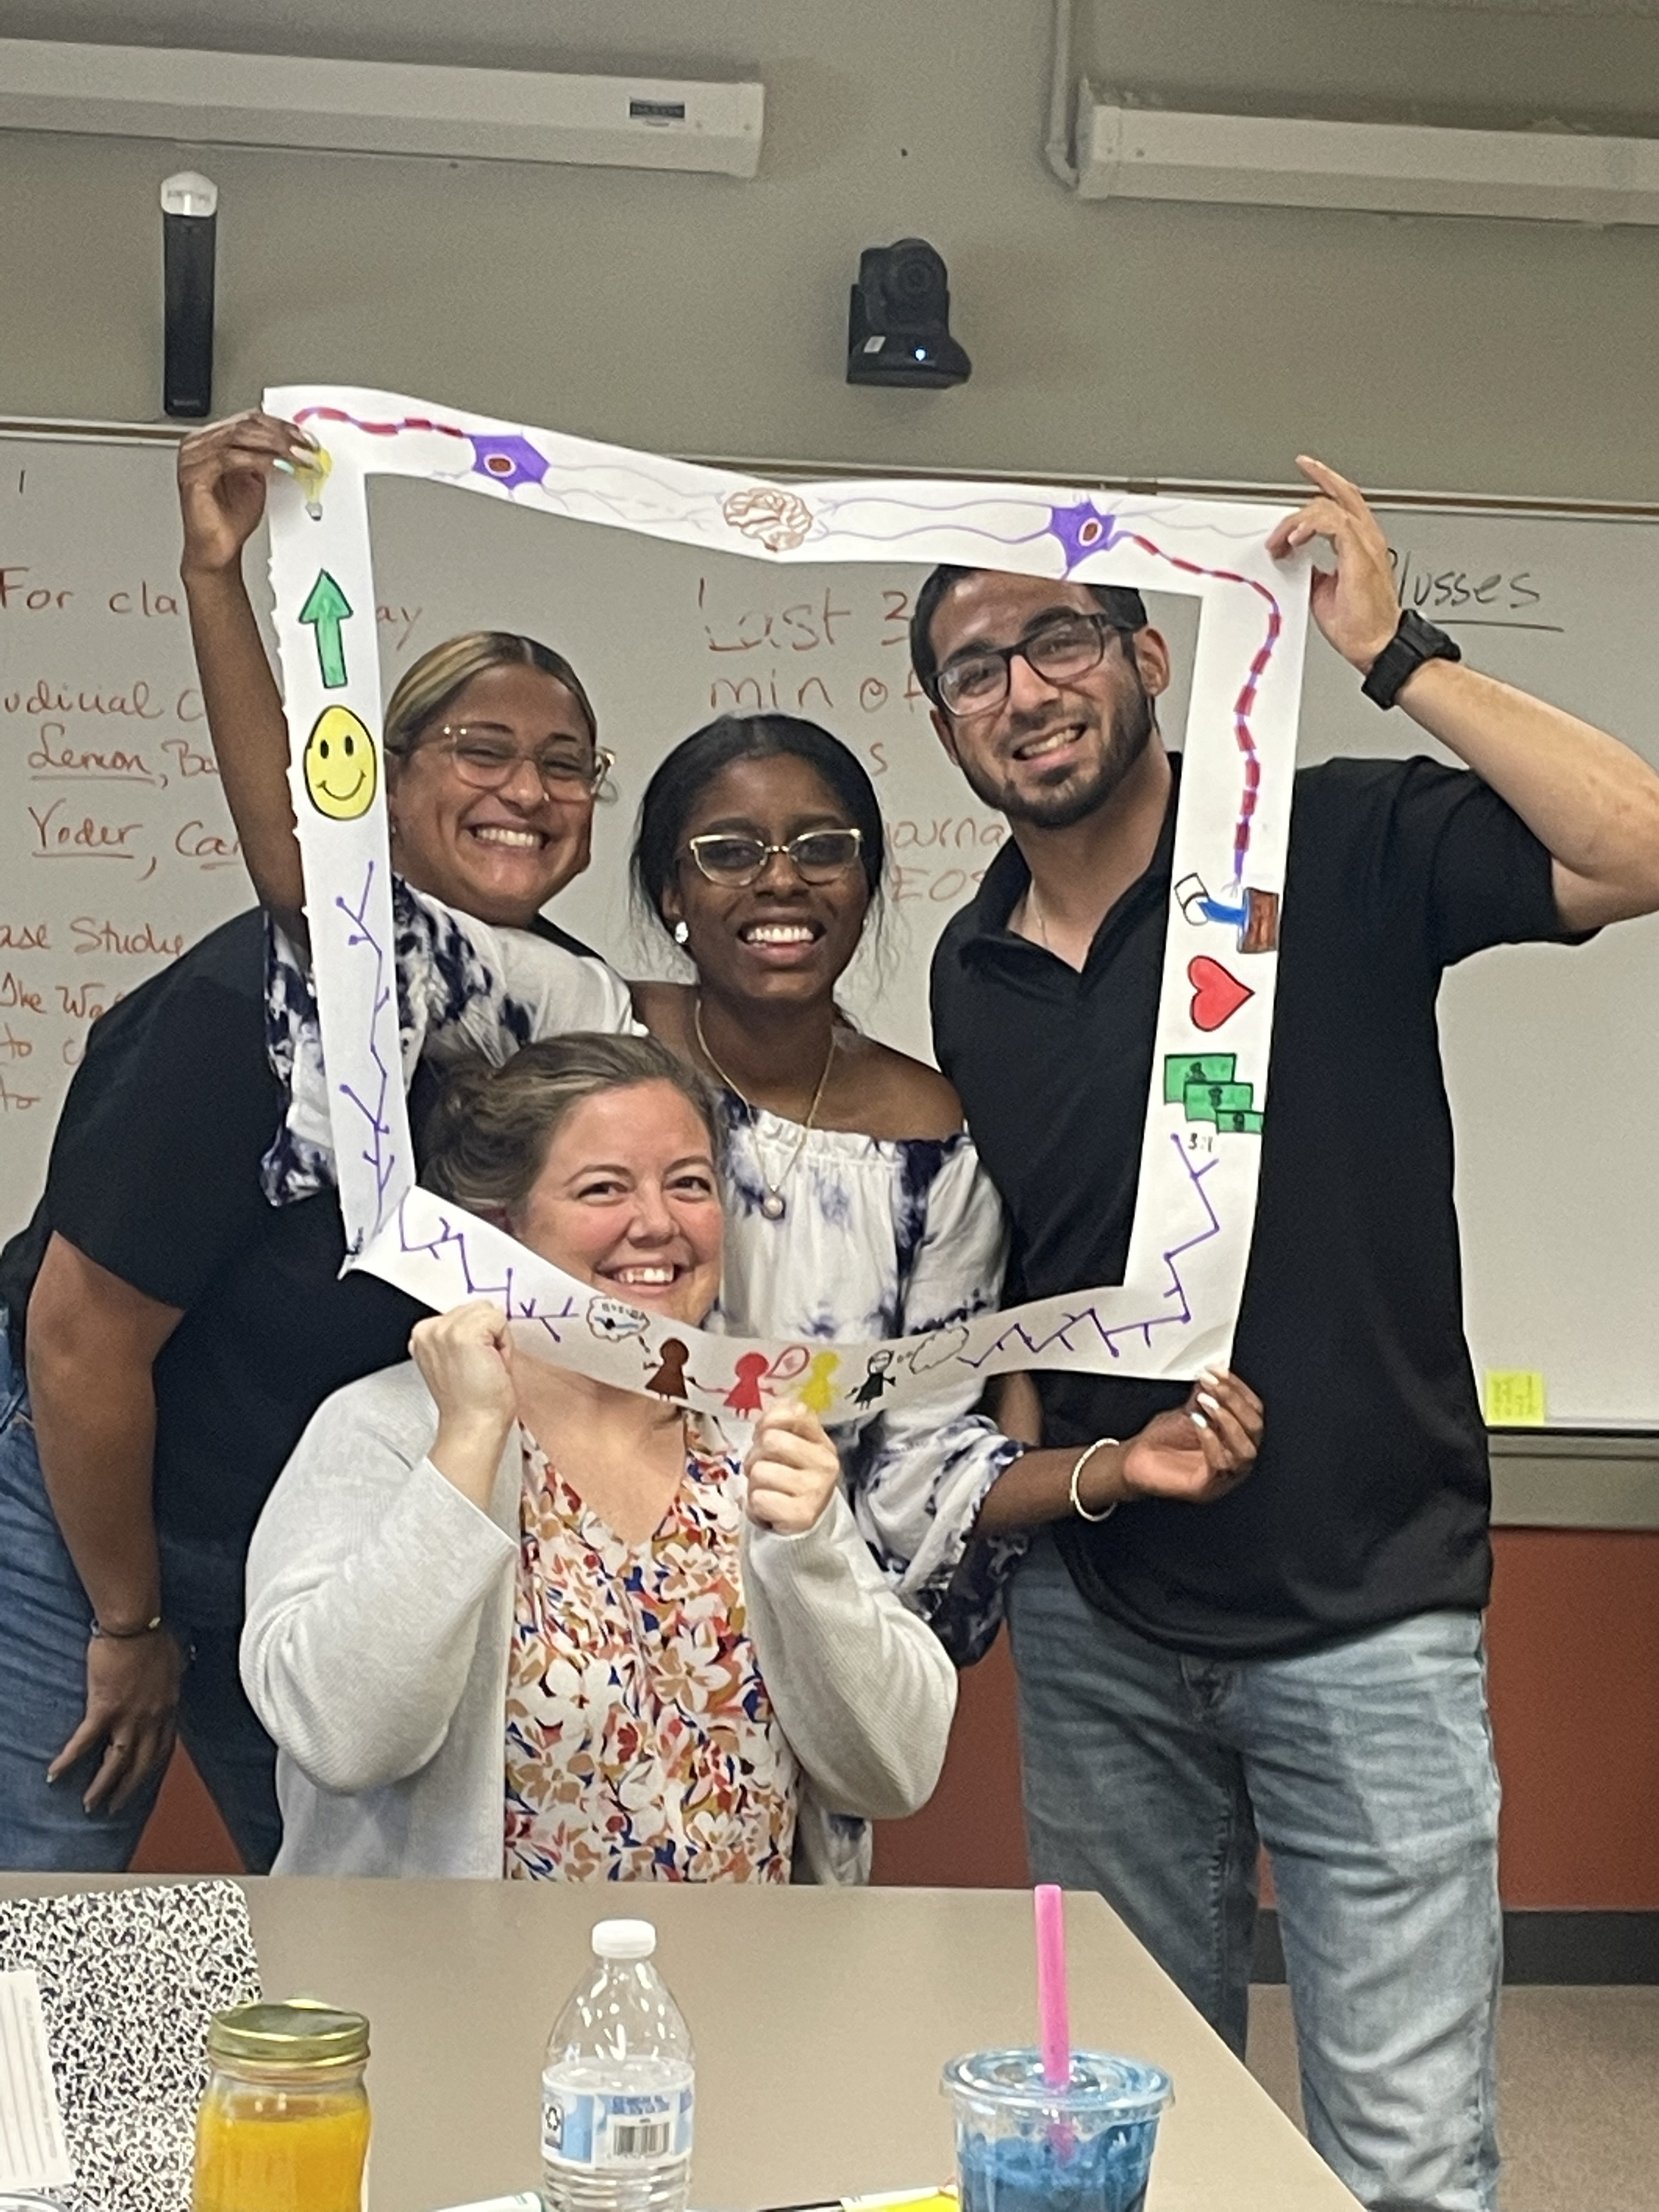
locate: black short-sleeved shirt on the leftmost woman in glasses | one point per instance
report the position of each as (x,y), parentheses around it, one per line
(156,1176)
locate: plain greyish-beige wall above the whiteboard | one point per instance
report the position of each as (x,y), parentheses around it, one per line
(707,315)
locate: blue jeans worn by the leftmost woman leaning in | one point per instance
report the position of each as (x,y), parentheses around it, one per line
(43,1682)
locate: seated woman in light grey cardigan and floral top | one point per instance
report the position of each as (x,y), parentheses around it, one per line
(510,1620)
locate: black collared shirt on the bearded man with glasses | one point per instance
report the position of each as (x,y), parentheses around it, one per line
(1373,1490)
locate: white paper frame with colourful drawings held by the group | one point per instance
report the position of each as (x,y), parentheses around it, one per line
(1196,1204)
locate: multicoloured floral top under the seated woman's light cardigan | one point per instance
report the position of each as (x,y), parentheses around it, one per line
(640,1740)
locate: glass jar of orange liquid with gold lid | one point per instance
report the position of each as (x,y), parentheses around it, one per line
(284,2125)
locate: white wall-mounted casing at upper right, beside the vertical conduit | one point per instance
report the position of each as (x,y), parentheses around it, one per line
(1386,169)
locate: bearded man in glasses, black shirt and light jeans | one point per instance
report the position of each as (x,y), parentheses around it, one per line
(1297,1665)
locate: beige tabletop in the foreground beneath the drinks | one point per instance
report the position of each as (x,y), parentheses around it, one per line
(822,2021)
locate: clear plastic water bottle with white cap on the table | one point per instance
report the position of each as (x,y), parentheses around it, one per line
(618,2087)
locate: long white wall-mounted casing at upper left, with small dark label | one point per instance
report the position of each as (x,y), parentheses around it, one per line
(379,107)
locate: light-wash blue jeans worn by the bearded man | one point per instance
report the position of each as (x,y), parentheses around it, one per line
(1366,1768)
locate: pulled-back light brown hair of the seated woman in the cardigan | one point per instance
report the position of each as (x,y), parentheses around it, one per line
(490,1134)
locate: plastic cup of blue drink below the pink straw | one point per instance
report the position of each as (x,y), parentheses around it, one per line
(1025,2147)
